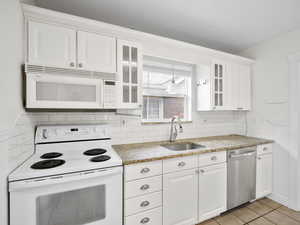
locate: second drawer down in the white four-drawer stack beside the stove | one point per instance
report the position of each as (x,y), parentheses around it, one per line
(143,186)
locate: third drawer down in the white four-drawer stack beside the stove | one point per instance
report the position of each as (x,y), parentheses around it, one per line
(142,203)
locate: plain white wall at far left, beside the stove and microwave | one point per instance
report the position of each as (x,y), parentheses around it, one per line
(10,85)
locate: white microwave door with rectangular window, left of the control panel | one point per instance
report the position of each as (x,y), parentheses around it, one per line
(61,91)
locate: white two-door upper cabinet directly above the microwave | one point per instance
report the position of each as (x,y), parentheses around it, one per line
(57,46)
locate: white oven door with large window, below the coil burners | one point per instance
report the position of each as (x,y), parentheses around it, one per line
(90,198)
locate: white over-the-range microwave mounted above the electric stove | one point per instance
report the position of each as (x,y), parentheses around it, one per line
(70,91)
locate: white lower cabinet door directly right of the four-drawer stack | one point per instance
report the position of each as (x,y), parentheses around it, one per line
(180,197)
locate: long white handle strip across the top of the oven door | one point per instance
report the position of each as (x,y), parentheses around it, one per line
(64,178)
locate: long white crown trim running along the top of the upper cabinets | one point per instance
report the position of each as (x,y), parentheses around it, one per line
(84,24)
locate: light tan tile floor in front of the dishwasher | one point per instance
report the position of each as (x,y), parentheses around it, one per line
(261,212)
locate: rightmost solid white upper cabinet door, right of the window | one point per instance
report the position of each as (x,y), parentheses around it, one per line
(244,73)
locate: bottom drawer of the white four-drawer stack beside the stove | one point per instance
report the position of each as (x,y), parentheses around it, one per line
(151,217)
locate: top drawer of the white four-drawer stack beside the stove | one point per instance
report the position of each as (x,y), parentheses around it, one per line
(142,170)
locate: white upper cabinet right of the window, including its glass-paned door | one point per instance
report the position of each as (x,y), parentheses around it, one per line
(225,86)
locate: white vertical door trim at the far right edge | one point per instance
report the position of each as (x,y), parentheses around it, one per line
(294,130)
